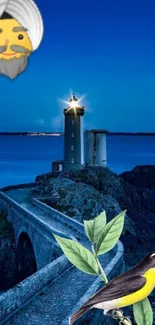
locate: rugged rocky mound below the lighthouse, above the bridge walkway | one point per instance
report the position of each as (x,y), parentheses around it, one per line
(80,201)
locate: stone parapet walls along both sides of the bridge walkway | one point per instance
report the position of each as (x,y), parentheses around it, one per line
(15,298)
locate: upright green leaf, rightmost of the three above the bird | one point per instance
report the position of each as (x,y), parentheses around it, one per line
(110,234)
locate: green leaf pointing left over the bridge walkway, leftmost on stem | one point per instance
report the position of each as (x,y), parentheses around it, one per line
(78,255)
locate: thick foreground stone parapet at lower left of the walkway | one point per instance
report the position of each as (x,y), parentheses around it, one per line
(16,298)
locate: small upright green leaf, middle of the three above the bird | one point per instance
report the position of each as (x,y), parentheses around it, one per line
(93,228)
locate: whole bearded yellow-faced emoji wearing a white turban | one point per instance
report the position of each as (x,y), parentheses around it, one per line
(21,32)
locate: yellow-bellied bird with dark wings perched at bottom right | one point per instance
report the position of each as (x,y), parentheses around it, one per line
(126,289)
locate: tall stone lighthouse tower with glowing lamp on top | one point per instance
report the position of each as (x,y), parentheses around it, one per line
(73,136)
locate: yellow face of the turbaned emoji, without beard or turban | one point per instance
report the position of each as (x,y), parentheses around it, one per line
(14,40)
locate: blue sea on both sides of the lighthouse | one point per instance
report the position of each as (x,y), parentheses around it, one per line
(22,158)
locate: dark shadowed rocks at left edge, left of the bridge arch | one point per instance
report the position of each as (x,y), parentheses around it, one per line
(8,267)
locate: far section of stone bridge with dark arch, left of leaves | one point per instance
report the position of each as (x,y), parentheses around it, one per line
(33,229)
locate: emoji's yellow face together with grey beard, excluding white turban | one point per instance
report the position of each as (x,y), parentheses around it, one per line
(15,46)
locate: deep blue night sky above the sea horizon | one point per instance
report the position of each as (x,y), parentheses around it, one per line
(102,48)
